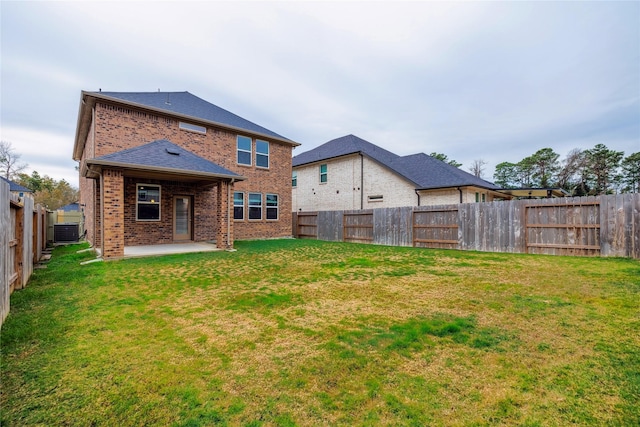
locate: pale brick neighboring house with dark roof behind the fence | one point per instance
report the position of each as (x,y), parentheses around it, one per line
(351,173)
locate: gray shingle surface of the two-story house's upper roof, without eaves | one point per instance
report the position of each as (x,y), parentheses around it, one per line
(190,105)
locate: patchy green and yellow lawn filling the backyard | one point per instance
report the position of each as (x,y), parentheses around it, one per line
(301,332)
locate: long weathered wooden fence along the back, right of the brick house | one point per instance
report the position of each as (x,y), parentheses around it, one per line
(585,226)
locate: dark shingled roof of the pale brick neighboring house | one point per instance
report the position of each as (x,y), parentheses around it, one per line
(424,171)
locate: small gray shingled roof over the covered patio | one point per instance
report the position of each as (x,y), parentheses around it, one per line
(163,155)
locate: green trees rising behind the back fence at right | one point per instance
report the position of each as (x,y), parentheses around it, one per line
(598,170)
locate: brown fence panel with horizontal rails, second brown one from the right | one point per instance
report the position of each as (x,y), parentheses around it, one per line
(436,228)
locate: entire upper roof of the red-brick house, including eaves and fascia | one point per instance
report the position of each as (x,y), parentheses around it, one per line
(182,105)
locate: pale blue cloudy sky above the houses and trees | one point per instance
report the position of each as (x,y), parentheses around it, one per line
(495,81)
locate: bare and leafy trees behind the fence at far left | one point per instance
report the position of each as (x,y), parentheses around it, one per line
(47,191)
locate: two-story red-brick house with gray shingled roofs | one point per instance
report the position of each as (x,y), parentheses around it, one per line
(165,167)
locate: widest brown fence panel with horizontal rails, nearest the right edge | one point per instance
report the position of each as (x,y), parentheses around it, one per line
(563,229)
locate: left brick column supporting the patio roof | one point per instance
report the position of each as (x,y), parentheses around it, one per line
(112,190)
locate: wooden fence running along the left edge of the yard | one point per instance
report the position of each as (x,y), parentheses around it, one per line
(22,239)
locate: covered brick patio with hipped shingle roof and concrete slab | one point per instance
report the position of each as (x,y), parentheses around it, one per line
(160,195)
